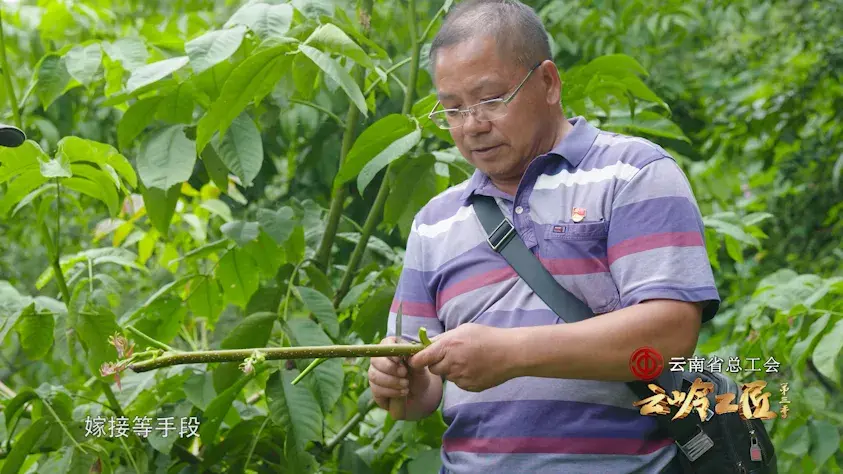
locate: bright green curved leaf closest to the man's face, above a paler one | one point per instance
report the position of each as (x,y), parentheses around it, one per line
(374,141)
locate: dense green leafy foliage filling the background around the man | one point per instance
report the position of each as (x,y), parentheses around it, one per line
(233,175)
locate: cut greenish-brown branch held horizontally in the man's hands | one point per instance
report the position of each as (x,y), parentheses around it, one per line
(277,353)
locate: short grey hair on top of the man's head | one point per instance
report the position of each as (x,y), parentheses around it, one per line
(516,28)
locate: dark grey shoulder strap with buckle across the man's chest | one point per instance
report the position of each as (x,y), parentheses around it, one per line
(503,239)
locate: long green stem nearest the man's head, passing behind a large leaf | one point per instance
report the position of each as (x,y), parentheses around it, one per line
(376,211)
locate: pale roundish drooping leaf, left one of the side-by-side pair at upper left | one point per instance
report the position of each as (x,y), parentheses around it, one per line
(167,158)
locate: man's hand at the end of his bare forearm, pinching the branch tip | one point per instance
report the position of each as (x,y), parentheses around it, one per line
(473,356)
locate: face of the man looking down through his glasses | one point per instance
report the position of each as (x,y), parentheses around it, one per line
(474,71)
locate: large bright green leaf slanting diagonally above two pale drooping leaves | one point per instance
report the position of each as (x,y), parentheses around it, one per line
(251,80)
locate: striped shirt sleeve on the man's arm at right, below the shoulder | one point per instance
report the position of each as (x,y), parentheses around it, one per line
(656,242)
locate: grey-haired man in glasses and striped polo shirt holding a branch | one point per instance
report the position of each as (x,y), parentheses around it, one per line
(613,219)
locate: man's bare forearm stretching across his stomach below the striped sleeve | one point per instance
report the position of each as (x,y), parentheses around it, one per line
(599,348)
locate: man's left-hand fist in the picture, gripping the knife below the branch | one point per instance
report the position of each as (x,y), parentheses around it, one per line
(389,378)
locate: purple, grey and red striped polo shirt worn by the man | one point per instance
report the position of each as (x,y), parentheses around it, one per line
(641,237)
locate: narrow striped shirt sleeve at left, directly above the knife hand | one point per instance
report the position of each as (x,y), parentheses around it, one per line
(413,294)
